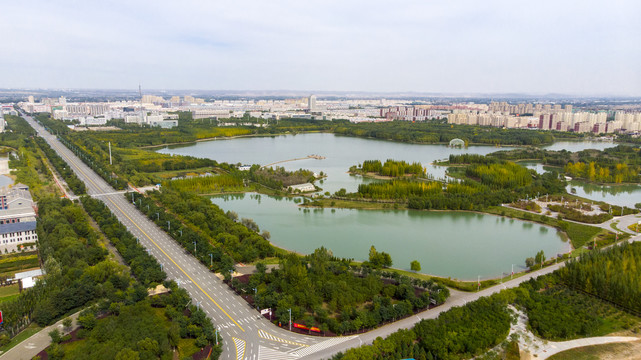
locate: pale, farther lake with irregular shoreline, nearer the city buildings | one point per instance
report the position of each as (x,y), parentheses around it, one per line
(340,154)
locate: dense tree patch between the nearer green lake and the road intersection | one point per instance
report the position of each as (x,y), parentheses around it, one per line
(324,291)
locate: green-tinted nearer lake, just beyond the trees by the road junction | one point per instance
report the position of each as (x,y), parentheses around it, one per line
(462,245)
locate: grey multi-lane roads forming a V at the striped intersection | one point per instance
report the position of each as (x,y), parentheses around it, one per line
(246,334)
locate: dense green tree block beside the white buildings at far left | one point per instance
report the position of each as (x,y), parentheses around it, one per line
(75,263)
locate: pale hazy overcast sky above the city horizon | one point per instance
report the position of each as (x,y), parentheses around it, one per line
(572,47)
